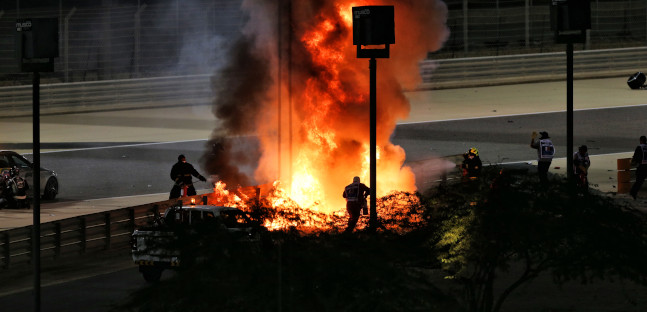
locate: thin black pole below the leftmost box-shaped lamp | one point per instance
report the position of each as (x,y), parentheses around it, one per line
(35,246)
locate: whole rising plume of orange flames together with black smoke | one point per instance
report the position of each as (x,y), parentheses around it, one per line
(292,101)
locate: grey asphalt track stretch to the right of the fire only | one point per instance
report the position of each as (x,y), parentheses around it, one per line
(507,138)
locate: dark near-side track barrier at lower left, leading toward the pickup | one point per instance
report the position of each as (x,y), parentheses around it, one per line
(109,230)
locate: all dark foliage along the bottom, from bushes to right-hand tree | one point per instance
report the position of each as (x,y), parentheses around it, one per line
(502,223)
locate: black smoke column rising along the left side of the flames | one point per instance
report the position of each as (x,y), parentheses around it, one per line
(240,89)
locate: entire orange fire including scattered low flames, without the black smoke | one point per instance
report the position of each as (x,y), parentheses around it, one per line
(328,88)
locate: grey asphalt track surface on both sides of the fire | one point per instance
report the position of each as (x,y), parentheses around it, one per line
(129,169)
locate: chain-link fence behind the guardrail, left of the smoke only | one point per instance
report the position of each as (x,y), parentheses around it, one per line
(106,40)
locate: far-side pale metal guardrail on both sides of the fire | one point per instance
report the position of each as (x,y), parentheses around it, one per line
(436,74)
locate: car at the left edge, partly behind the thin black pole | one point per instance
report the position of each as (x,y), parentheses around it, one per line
(48,179)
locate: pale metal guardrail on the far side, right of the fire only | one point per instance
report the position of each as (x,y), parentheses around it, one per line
(525,68)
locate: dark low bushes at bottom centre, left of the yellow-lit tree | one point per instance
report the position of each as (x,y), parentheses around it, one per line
(299,272)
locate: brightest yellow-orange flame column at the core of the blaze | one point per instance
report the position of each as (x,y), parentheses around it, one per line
(333,142)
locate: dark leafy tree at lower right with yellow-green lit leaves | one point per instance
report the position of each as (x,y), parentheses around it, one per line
(506,218)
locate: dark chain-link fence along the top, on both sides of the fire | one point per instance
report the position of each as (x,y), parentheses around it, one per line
(119,39)
